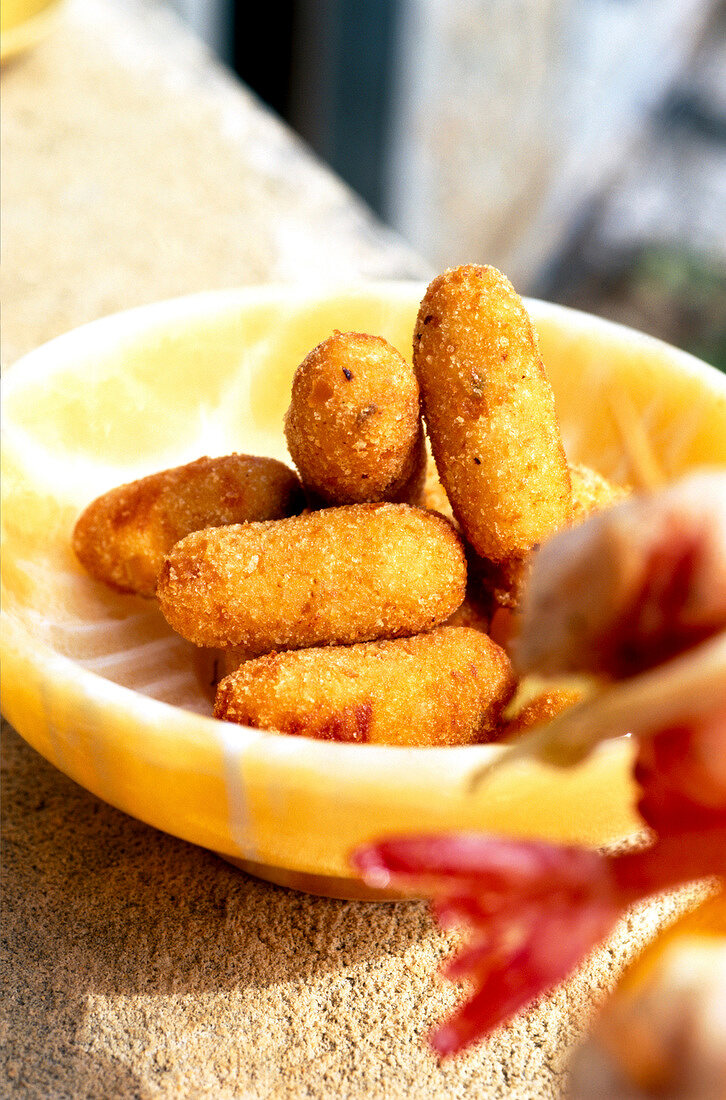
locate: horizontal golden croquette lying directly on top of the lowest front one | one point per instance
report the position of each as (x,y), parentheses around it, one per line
(339,576)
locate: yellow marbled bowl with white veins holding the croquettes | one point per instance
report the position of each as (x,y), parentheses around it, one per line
(100,686)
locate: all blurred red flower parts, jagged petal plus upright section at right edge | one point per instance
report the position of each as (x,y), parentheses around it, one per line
(536,909)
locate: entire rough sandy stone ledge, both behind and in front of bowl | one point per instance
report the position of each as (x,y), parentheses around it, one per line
(135,965)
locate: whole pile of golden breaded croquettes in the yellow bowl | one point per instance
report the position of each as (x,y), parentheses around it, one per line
(356,601)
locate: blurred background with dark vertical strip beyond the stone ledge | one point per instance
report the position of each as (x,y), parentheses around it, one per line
(580,146)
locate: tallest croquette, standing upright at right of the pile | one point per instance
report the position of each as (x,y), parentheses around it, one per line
(490,414)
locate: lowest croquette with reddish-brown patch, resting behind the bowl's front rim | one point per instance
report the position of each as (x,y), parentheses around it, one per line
(445,688)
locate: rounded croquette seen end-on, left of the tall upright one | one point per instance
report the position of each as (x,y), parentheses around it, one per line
(354,426)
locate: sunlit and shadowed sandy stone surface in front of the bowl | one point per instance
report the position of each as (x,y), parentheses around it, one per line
(139,966)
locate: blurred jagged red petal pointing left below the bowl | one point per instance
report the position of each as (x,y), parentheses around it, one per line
(535,909)
